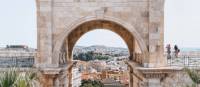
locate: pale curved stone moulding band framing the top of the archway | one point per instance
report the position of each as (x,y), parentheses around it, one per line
(62,37)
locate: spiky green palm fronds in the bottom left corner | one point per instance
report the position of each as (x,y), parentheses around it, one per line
(13,78)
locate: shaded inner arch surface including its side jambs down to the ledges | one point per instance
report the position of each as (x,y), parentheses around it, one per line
(127,36)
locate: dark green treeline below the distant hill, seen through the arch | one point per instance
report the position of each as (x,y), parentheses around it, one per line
(90,56)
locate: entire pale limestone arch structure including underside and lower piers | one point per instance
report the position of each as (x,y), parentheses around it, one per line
(61,23)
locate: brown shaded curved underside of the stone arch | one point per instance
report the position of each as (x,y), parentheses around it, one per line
(75,34)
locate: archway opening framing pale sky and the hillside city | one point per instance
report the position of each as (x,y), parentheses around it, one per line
(101,62)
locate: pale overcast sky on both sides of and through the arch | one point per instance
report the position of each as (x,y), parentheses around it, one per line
(18,25)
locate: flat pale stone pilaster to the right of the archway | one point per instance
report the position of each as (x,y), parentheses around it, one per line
(156,34)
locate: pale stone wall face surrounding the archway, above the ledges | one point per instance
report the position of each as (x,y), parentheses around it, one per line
(58,18)
